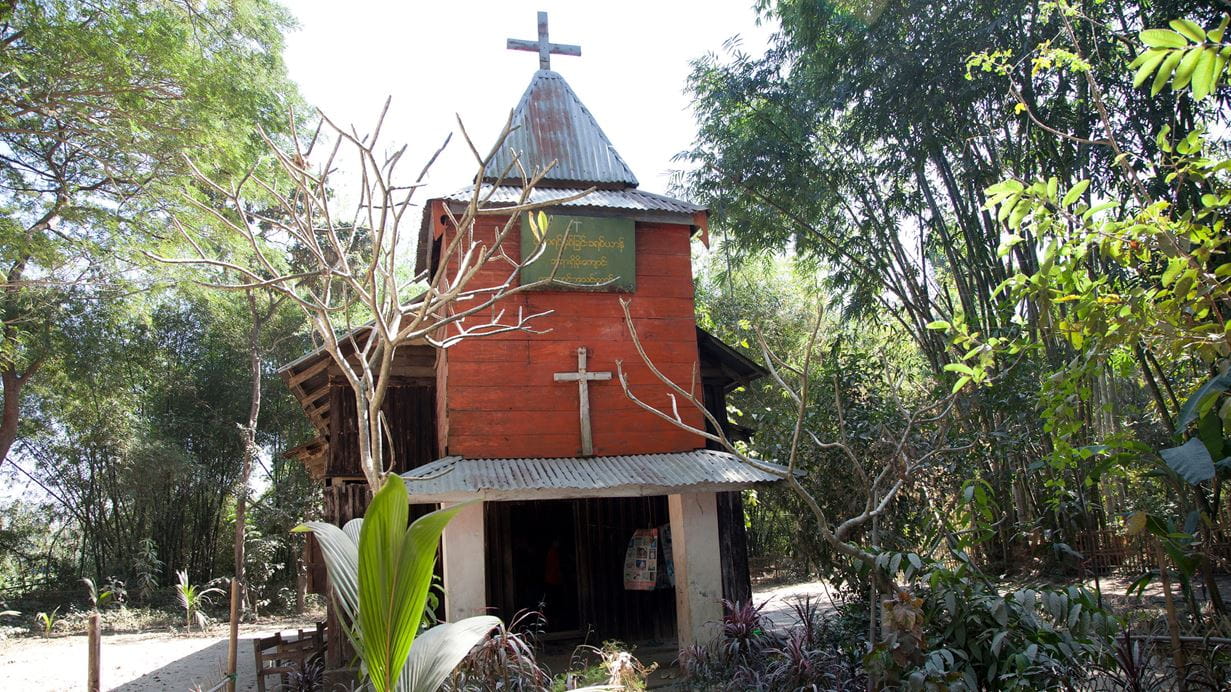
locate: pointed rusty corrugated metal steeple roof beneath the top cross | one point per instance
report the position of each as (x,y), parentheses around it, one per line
(553,125)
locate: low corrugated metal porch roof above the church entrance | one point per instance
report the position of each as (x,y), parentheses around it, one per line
(456,478)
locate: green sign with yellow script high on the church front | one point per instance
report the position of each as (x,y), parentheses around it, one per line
(585,253)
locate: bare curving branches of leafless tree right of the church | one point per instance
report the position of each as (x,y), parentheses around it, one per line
(920,441)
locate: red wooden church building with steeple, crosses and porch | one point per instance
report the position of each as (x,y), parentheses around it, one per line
(612,521)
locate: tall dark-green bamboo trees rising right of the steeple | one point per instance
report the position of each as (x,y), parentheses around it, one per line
(862,146)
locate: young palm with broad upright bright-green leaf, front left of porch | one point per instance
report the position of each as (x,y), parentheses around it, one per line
(381,572)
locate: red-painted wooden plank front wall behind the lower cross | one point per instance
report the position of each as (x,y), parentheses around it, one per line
(499,395)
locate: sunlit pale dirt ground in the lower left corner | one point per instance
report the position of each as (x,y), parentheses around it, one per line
(132,663)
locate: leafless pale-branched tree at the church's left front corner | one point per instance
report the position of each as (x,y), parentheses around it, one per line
(347,273)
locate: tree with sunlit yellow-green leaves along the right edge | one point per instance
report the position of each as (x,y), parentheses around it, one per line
(1138,268)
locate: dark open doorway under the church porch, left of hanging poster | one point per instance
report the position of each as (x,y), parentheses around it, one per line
(539,571)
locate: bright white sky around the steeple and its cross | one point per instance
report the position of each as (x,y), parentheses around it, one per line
(444,60)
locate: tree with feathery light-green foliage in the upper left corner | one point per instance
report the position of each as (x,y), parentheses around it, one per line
(99,102)
